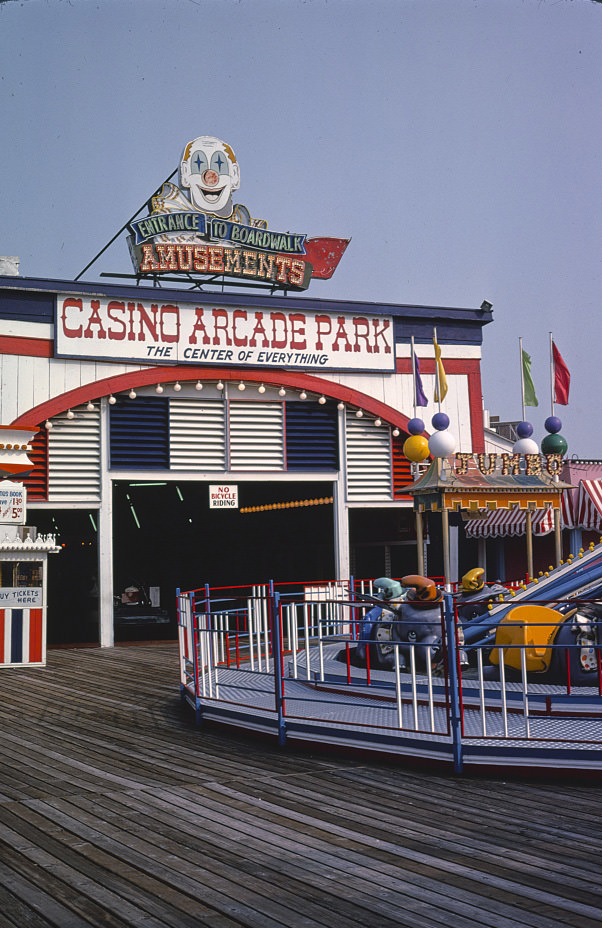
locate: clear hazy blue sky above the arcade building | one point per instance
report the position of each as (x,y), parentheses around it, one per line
(457,142)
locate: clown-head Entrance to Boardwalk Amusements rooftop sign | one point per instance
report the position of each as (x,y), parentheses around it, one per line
(197,229)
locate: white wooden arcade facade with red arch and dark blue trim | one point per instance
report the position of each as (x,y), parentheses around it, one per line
(221,432)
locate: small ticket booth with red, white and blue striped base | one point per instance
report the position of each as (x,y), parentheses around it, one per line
(23,563)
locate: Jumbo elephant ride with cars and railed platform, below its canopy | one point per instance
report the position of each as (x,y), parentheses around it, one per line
(513,682)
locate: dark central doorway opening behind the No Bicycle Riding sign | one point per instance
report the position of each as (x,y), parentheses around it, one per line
(165,536)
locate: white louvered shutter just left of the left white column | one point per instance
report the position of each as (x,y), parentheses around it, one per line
(74,456)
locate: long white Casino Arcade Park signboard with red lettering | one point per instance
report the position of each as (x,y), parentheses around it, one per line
(171,333)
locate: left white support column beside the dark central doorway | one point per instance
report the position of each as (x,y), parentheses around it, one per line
(105,536)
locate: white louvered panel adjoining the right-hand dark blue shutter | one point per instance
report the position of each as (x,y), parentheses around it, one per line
(256,436)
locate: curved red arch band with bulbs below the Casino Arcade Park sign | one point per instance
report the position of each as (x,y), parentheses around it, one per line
(35,416)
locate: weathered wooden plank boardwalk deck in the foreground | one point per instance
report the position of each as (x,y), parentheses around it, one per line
(116,810)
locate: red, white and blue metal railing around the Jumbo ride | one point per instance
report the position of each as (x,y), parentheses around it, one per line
(290,657)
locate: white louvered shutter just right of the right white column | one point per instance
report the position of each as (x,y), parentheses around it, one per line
(368,453)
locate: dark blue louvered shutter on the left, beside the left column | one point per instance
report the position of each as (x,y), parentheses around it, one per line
(140,433)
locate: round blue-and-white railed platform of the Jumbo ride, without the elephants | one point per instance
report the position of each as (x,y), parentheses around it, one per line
(281,670)
